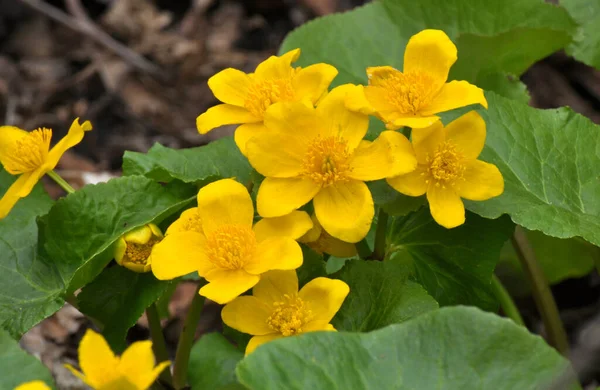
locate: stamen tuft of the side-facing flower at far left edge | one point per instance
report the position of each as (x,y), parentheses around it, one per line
(29,153)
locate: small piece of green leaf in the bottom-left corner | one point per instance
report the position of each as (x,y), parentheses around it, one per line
(17,366)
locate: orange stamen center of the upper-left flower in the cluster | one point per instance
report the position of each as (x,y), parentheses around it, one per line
(266,92)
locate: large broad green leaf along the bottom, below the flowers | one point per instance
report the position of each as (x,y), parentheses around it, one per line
(448,349)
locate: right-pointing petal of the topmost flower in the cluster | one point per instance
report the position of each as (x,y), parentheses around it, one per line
(453,95)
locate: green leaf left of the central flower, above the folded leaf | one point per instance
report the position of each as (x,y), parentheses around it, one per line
(219,159)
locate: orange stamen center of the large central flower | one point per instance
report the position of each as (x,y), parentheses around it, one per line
(327,160)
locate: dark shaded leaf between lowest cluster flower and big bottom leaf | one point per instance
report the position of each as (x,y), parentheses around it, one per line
(380,295)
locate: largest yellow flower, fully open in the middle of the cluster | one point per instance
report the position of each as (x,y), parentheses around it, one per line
(320,153)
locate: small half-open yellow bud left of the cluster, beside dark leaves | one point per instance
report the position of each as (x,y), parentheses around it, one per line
(134,249)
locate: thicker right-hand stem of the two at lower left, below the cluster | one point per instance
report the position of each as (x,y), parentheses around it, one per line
(186,339)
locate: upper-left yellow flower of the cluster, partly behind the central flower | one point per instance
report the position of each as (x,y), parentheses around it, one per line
(246,97)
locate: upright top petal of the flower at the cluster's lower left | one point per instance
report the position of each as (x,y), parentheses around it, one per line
(224,202)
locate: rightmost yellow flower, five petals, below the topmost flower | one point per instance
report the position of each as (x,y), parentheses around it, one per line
(448,169)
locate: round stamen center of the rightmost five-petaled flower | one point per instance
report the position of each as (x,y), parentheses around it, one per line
(446,165)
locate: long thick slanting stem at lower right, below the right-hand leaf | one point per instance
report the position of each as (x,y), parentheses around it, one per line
(541,292)
